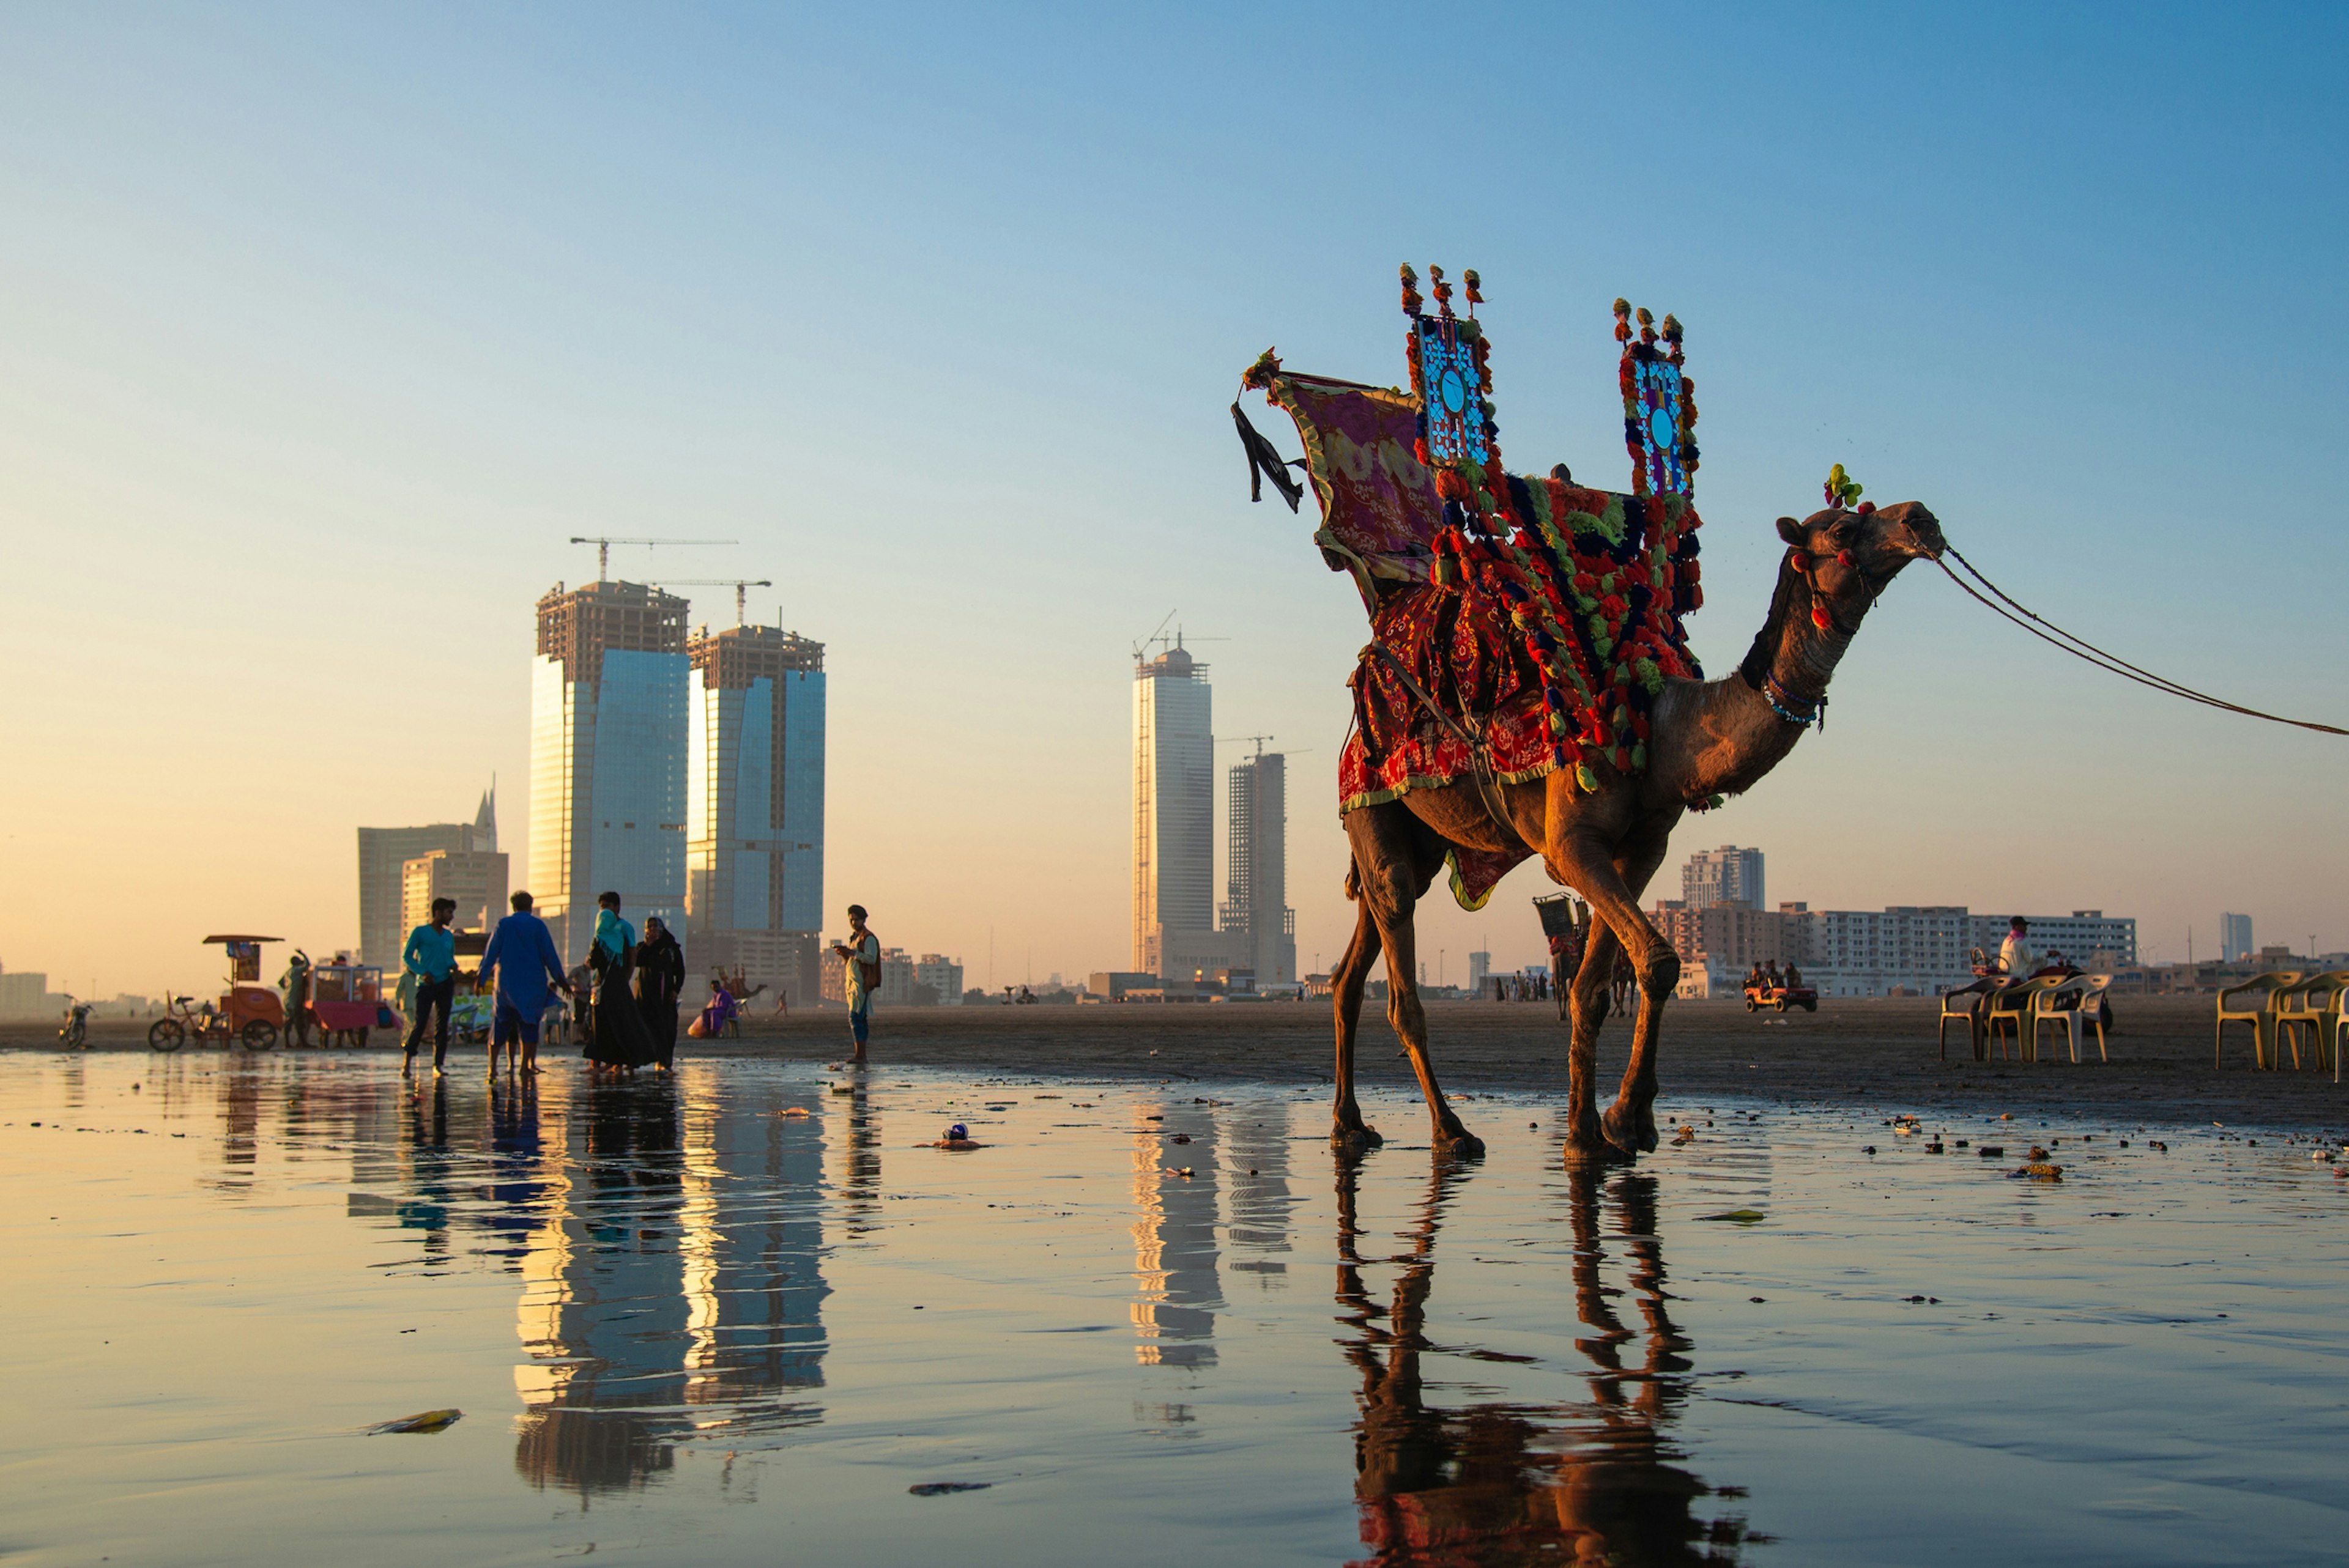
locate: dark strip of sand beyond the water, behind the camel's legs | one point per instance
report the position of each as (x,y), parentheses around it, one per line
(1876,1050)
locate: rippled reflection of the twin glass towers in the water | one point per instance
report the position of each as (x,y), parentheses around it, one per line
(675,1292)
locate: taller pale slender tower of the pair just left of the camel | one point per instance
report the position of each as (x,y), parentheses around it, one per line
(1173,917)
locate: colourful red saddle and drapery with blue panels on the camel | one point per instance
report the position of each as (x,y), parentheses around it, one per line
(1521,623)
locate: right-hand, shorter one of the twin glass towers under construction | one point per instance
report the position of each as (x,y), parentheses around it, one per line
(755,839)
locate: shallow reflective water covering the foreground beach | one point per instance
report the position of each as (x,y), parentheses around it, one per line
(685,1327)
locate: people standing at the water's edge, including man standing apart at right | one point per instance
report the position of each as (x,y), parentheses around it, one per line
(624,999)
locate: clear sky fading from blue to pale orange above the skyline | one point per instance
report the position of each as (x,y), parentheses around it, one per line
(325,327)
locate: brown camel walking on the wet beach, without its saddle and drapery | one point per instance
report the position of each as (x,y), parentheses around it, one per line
(1709,738)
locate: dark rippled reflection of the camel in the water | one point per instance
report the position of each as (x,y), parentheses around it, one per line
(1495,1485)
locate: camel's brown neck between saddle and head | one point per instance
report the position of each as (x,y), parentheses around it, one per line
(1718,738)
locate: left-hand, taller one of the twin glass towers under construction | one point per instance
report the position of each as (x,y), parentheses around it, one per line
(610,757)
